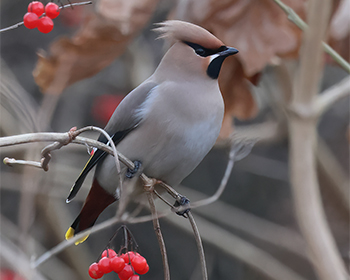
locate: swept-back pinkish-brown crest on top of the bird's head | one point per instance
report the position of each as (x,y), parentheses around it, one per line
(187,32)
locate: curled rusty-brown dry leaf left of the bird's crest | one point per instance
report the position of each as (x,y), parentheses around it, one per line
(103,36)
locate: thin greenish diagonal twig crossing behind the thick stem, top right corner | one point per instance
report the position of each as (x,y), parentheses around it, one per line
(293,16)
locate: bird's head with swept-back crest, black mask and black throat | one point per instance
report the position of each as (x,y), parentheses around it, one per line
(194,48)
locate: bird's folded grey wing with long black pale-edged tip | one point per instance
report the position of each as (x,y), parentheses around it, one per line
(125,118)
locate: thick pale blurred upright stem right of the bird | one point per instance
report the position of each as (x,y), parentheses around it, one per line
(307,198)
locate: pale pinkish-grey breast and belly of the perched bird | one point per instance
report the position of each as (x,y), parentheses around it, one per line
(178,129)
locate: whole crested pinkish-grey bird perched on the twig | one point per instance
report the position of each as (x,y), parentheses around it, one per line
(167,124)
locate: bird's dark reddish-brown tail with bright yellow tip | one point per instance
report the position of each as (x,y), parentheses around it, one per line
(97,200)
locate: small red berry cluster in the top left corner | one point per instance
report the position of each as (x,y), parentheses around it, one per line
(35,17)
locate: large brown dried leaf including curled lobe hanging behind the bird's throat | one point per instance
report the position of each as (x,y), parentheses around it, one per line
(260,30)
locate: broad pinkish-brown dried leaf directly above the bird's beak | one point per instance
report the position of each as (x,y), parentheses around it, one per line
(259,29)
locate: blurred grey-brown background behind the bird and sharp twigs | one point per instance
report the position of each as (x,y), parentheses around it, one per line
(77,74)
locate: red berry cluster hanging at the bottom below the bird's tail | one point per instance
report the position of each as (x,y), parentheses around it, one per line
(126,265)
